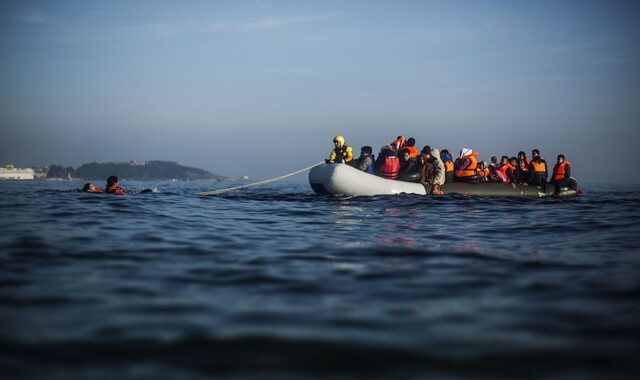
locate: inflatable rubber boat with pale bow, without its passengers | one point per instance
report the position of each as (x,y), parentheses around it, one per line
(342,179)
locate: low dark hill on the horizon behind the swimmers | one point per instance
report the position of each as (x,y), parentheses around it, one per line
(132,170)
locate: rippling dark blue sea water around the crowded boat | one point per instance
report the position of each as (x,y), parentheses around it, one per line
(275,282)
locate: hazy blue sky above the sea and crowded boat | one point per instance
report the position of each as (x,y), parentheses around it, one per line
(260,88)
